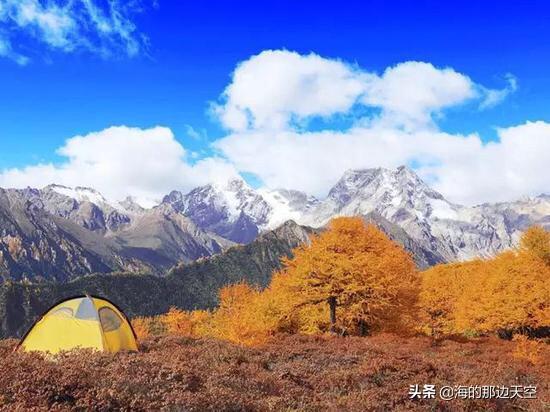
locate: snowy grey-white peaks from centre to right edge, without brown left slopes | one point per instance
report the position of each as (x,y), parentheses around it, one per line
(453,232)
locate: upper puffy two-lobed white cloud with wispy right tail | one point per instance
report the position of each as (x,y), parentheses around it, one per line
(276,87)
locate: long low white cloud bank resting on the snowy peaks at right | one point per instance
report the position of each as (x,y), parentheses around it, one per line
(462,168)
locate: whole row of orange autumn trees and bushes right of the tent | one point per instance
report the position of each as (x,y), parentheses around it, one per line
(376,287)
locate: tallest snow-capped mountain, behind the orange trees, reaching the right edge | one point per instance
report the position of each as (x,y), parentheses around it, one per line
(452,231)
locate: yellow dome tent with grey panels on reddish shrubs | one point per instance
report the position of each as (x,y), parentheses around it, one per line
(80,322)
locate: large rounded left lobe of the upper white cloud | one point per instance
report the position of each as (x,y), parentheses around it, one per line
(272,88)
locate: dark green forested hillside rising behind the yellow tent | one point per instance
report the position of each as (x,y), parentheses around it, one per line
(189,286)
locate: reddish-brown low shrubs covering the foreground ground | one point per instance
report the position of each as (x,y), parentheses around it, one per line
(292,373)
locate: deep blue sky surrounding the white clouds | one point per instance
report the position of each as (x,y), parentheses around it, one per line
(187,52)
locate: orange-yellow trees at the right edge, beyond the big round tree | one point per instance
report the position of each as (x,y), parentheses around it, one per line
(507,293)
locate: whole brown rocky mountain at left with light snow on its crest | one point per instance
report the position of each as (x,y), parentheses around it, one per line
(49,234)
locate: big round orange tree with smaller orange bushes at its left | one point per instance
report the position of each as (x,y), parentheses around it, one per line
(366,279)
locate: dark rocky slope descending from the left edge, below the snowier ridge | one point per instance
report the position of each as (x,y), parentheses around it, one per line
(37,245)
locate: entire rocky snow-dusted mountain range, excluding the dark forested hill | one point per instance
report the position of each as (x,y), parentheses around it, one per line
(61,233)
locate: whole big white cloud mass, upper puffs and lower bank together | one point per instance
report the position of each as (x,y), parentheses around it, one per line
(270,90)
